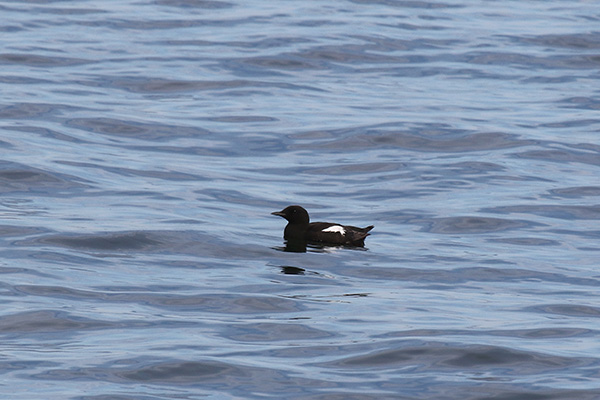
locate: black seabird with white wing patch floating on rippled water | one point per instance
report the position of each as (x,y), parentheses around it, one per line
(299,227)
